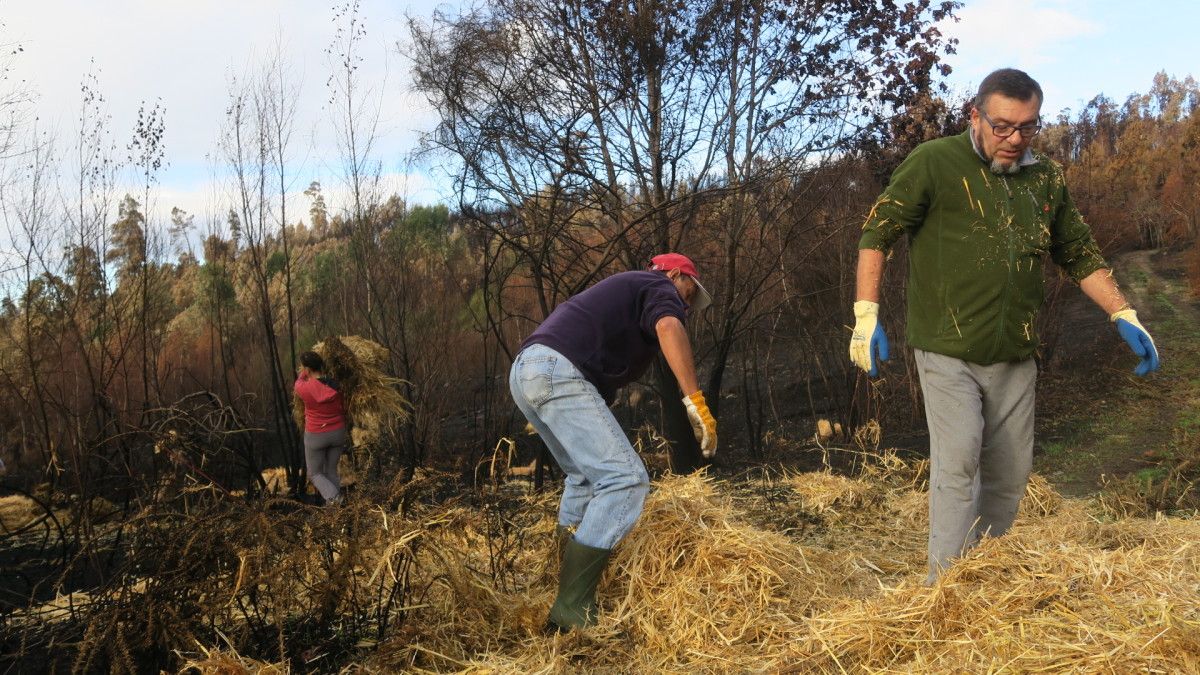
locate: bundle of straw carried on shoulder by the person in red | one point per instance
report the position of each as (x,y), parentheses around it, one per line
(374,403)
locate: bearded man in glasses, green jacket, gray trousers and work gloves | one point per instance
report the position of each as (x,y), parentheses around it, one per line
(982,211)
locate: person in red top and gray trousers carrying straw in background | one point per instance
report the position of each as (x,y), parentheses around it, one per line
(325,427)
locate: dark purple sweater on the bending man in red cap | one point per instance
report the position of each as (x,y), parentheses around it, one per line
(608,332)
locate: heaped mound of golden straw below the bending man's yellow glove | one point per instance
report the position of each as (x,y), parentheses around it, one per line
(697,587)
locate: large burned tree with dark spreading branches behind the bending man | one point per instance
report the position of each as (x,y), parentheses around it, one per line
(586,136)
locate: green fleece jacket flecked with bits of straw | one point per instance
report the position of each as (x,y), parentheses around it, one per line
(977,244)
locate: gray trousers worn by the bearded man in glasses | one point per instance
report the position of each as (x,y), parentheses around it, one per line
(981,449)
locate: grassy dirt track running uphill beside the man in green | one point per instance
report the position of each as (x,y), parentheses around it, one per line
(1097,422)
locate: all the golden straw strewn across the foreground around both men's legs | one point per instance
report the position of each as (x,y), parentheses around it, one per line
(706,584)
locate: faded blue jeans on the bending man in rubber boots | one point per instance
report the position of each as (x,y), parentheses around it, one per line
(607,482)
